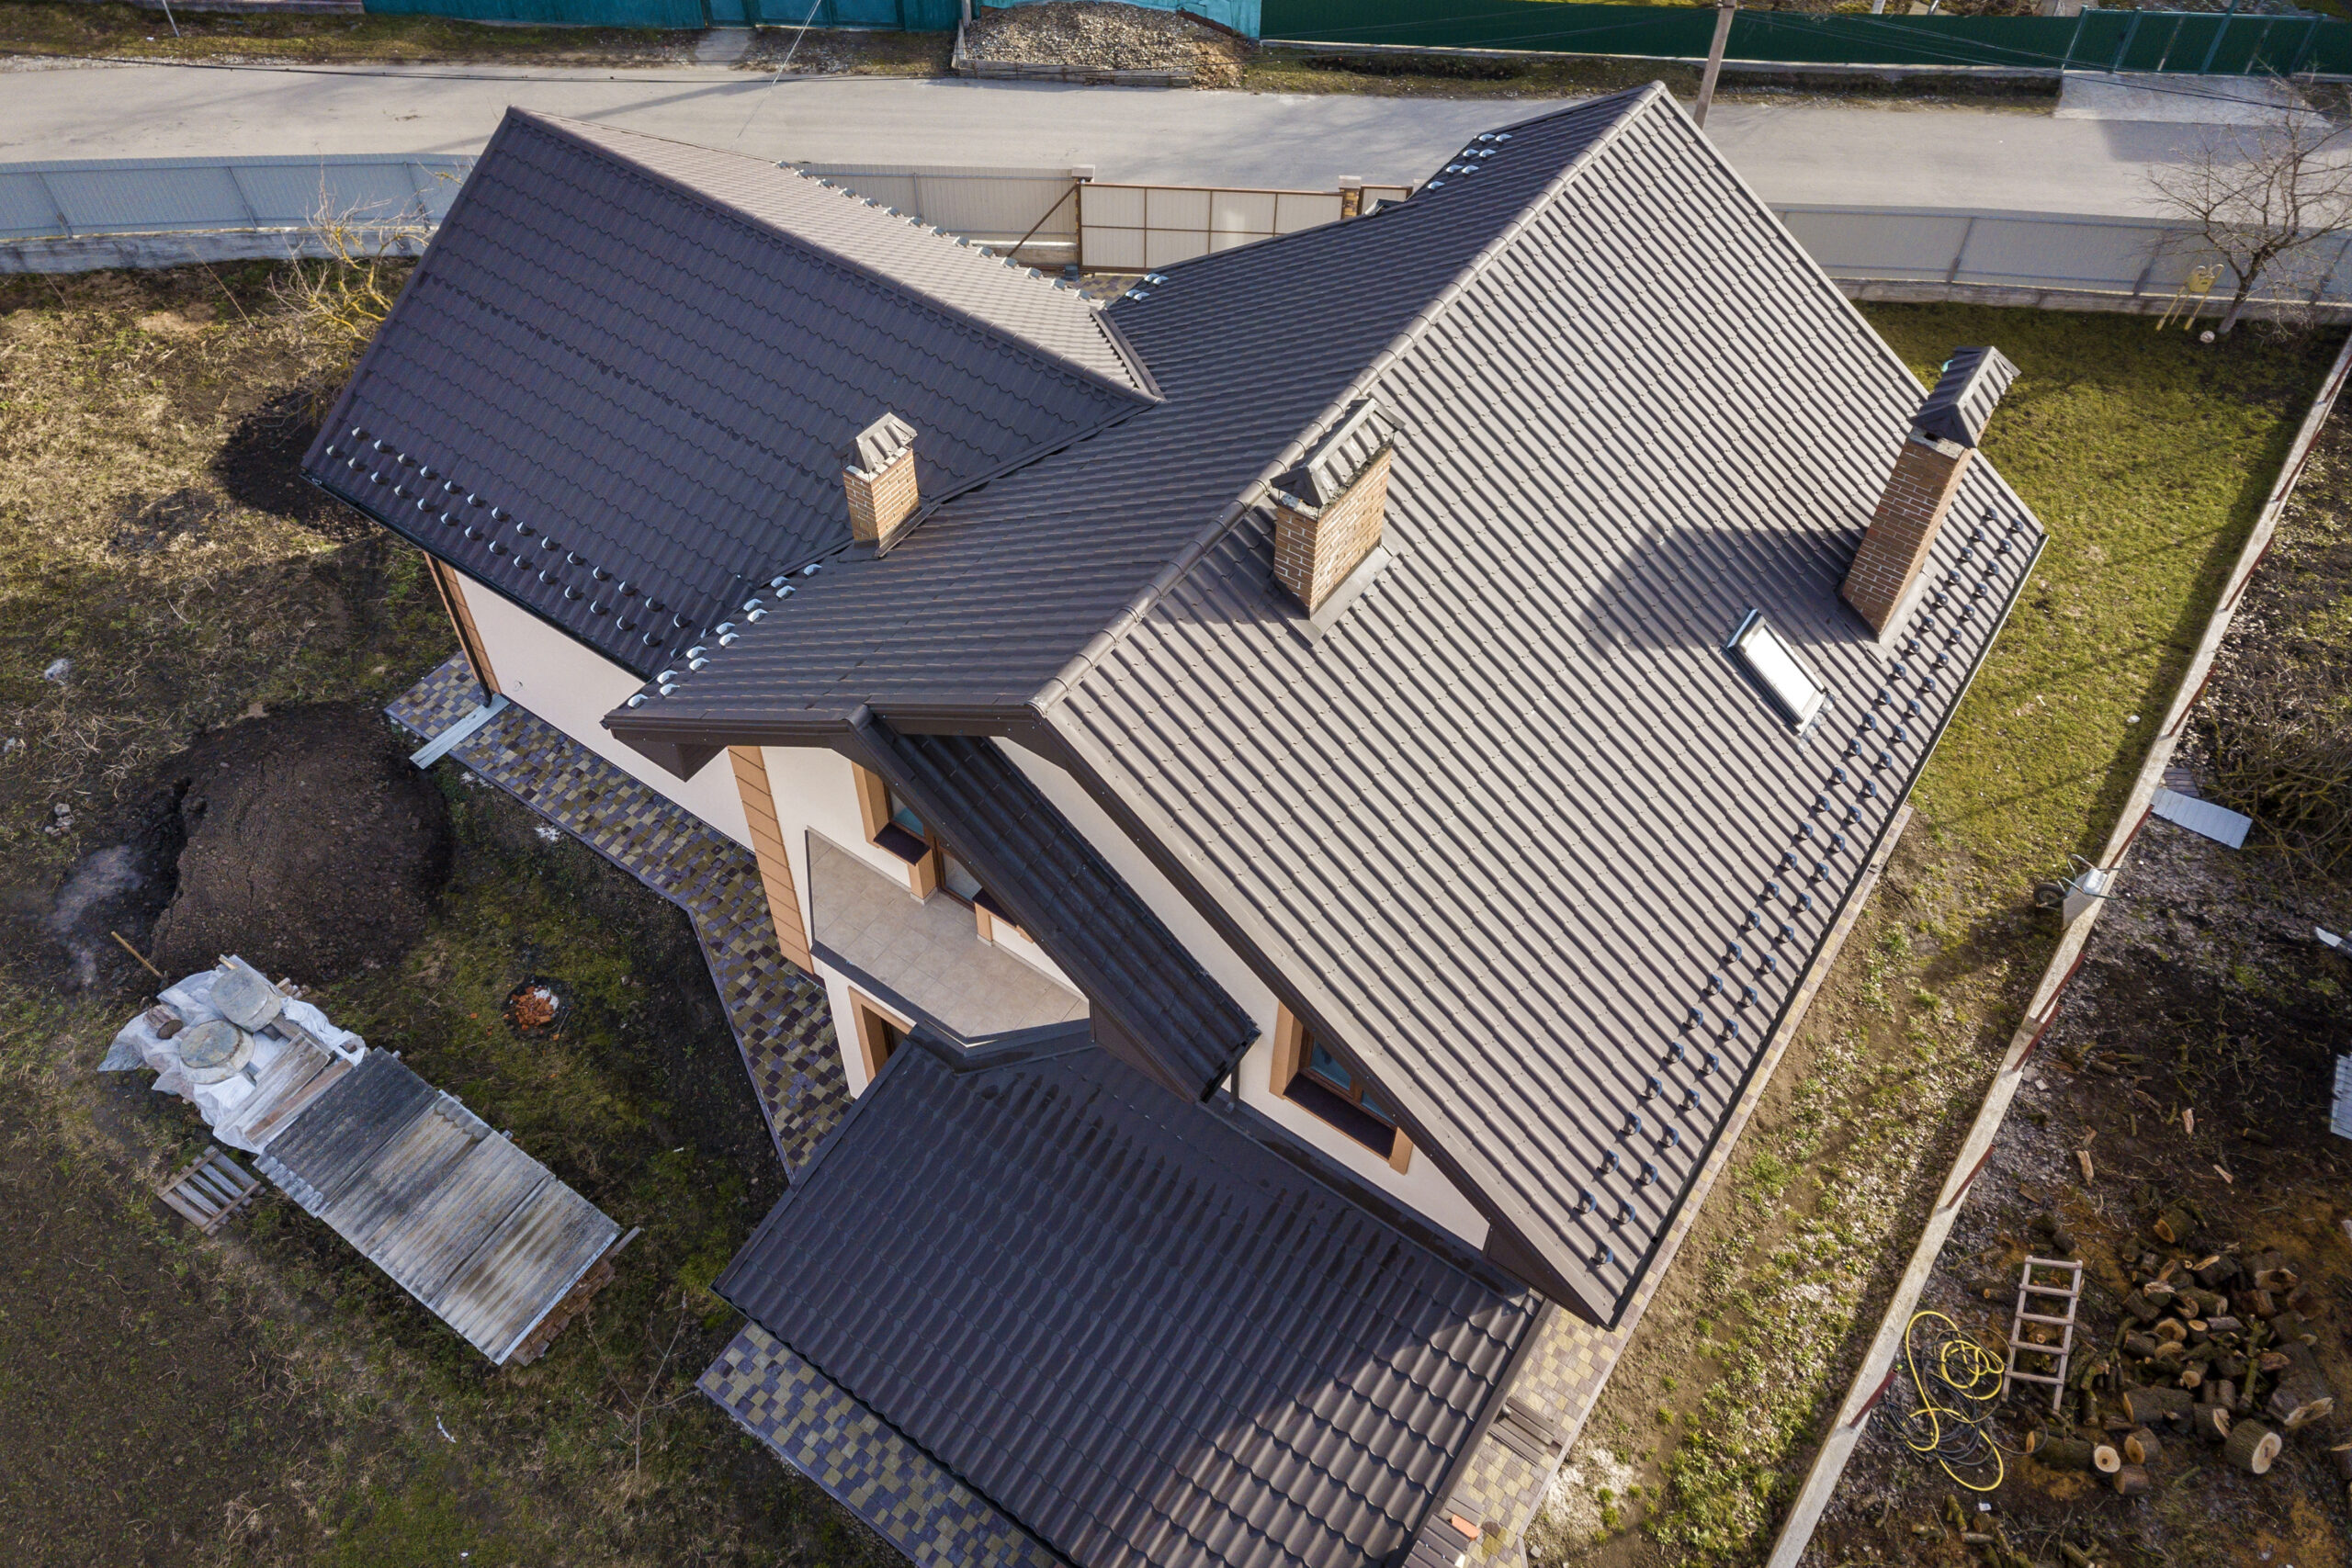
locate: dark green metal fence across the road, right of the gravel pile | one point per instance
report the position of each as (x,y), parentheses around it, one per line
(2094,41)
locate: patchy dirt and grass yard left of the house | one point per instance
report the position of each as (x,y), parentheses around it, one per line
(267,1398)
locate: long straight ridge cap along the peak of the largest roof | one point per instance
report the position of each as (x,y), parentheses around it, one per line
(1090,657)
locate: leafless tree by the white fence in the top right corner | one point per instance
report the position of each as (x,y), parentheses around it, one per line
(2261,196)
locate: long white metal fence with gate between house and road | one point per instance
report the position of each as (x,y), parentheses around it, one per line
(154,213)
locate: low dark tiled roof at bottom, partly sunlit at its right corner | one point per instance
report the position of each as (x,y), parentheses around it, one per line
(1116,1318)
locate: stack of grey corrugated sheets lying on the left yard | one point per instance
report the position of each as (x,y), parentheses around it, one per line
(472,1226)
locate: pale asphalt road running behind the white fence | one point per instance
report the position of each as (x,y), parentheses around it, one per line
(1793,154)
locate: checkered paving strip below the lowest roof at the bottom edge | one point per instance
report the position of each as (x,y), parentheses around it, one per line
(881,1477)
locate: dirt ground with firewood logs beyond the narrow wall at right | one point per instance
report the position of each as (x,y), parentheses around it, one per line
(2177,1130)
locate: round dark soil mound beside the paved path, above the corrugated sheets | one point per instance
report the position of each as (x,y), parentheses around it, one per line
(312,847)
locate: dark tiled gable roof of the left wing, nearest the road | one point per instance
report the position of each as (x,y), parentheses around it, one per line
(655,359)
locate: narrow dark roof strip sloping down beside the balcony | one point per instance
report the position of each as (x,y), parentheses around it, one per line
(1172,1019)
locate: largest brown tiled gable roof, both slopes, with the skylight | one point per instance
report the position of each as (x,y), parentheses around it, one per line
(1502,826)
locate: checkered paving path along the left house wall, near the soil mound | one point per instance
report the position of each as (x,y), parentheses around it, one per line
(777,1012)
